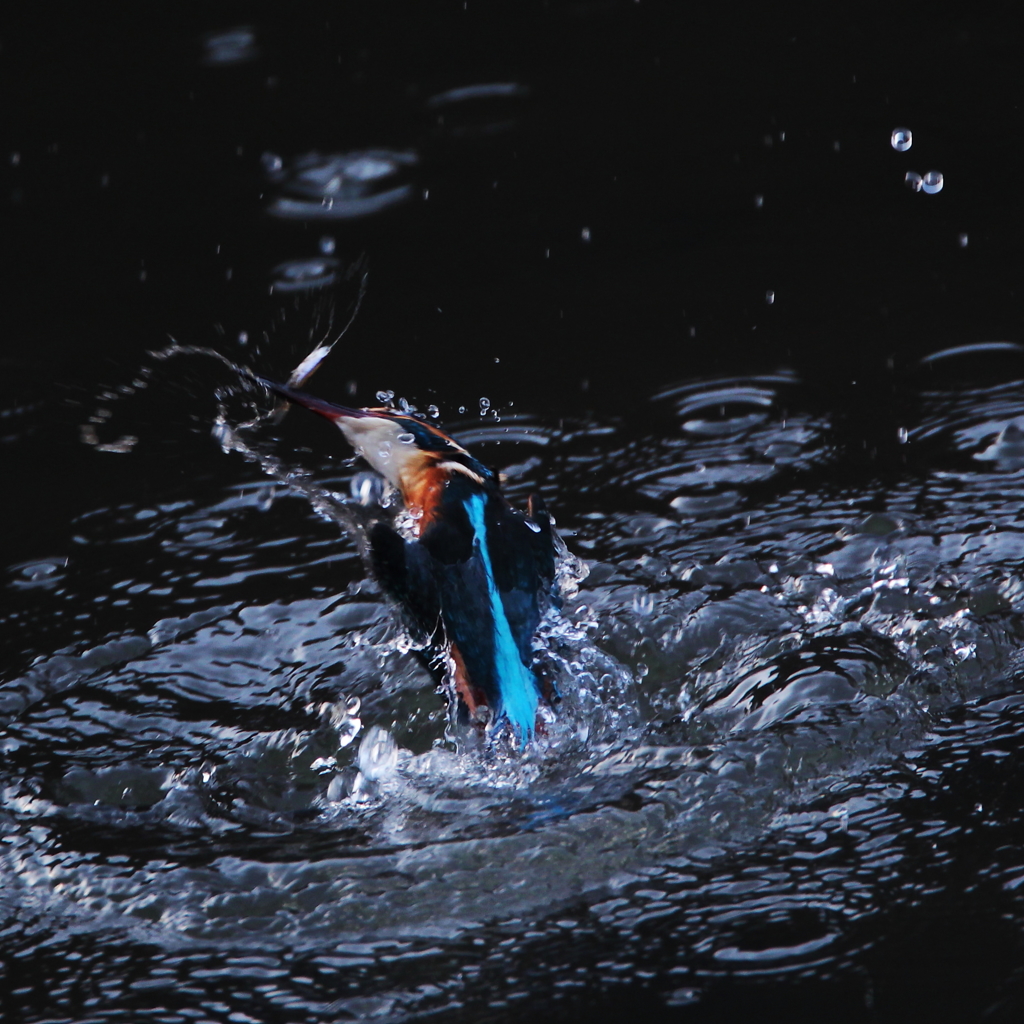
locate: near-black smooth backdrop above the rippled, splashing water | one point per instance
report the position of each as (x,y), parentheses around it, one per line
(132,184)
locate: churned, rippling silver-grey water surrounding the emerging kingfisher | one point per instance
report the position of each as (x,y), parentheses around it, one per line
(778,693)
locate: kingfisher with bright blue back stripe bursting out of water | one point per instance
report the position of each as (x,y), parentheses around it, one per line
(474,574)
